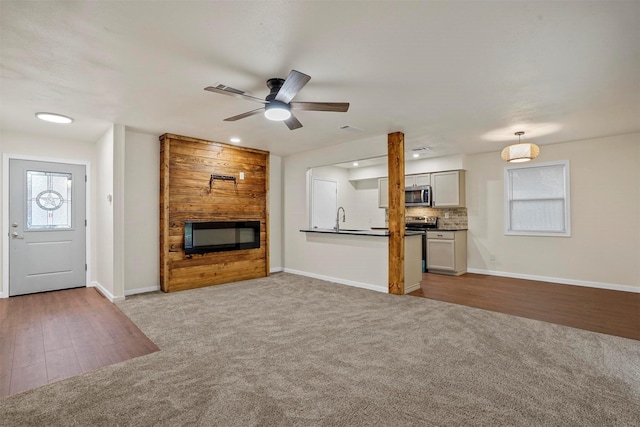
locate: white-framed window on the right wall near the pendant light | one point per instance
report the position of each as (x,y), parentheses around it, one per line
(537,199)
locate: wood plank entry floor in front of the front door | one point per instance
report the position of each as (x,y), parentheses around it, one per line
(54,335)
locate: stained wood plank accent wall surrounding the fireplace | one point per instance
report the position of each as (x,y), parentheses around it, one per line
(186,164)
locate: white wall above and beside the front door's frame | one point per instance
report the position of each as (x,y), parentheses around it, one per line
(39,147)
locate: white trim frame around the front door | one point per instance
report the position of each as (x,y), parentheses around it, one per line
(4,286)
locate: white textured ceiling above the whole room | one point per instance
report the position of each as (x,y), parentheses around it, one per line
(459,77)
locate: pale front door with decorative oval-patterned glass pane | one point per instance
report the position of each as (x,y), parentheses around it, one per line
(47,227)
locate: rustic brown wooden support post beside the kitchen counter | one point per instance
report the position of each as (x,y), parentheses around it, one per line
(395,149)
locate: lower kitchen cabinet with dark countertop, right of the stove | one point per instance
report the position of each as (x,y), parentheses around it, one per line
(447,252)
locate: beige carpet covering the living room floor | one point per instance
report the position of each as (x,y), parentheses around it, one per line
(289,350)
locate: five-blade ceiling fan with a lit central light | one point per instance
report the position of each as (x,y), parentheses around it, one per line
(278,105)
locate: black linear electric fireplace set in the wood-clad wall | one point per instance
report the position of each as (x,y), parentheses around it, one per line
(203,237)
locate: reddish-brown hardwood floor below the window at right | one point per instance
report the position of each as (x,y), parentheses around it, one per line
(599,310)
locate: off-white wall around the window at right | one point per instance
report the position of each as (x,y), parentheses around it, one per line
(604,247)
